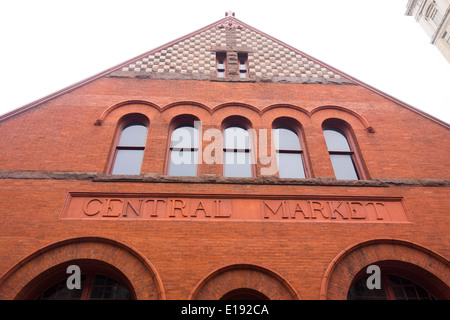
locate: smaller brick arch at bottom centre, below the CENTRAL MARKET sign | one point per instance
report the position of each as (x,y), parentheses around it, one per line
(243,276)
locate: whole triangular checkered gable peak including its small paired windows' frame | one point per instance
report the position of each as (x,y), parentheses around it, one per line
(194,57)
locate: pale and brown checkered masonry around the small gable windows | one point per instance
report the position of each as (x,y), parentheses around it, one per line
(195,55)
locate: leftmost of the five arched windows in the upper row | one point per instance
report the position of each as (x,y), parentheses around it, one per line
(129,150)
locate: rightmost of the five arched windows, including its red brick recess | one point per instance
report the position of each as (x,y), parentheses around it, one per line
(342,148)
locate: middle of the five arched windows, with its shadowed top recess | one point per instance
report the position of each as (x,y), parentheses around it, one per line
(237,149)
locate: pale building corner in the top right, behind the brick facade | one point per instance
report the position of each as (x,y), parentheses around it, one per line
(434,17)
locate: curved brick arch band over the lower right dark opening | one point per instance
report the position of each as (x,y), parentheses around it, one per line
(349,262)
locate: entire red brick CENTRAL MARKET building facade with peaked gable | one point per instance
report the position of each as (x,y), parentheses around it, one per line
(363,180)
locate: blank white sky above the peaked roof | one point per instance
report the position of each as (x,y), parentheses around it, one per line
(49,45)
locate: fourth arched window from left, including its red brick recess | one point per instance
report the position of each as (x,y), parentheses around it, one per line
(289,147)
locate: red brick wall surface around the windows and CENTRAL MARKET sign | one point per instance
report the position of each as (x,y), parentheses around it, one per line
(60,136)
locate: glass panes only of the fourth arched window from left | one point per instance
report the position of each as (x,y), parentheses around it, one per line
(289,153)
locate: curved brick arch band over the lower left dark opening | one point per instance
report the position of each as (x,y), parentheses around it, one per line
(140,273)
